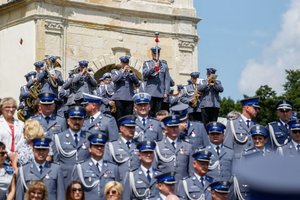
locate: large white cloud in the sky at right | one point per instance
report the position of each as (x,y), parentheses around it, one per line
(283,53)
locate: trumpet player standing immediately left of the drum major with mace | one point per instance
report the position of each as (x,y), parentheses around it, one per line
(125,82)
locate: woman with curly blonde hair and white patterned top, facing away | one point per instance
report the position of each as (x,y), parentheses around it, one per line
(32,129)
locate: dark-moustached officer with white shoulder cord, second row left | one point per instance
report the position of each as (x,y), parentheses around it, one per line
(71,146)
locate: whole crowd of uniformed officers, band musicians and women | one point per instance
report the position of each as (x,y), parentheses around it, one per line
(120,137)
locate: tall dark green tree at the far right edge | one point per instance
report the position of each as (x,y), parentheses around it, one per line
(292,88)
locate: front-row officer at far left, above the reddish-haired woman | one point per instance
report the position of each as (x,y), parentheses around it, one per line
(40,169)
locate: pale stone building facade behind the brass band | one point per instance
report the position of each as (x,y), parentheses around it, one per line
(99,31)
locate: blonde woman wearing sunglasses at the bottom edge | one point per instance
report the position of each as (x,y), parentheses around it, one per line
(113,190)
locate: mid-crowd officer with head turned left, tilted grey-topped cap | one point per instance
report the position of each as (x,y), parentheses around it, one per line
(192,132)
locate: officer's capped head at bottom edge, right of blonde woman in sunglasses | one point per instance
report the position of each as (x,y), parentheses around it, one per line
(166,185)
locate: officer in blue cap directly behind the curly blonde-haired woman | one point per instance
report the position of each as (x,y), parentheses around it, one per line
(51,123)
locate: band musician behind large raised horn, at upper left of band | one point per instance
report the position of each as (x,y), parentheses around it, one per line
(49,77)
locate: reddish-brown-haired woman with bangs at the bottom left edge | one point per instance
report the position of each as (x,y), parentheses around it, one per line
(37,190)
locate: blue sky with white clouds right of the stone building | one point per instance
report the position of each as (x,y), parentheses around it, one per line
(250,43)
